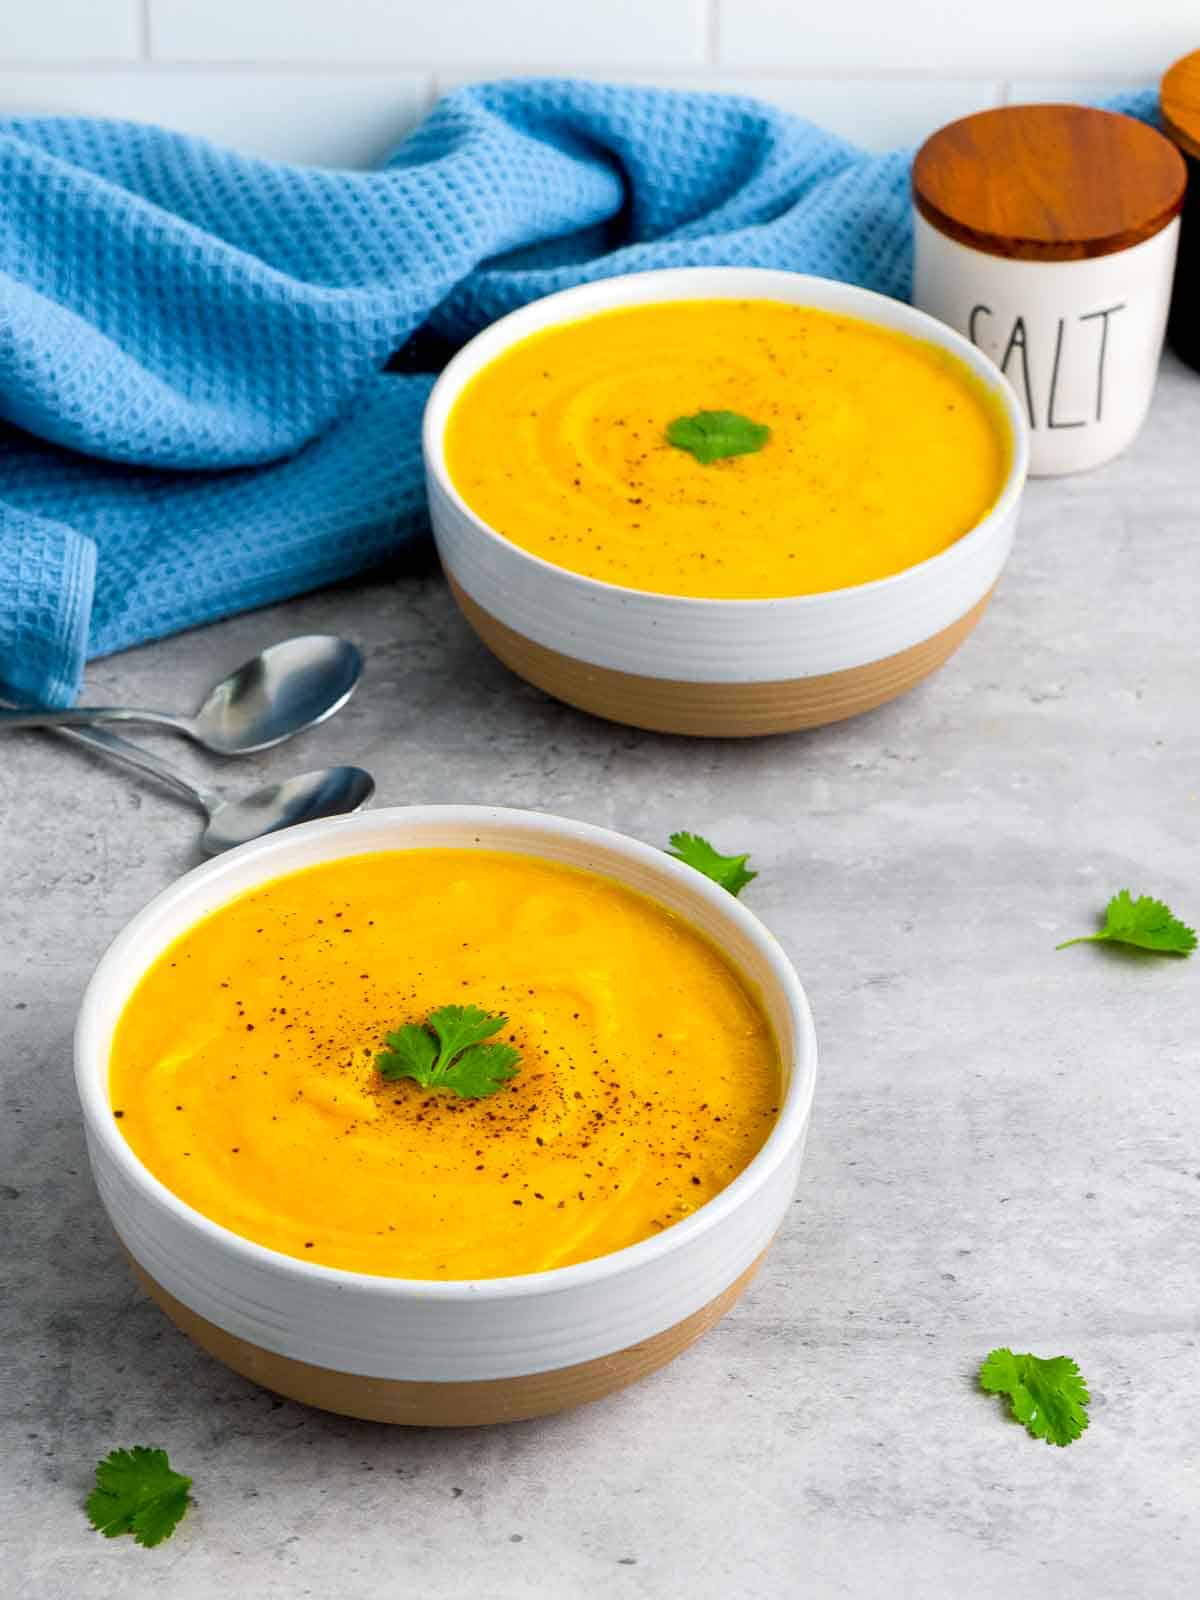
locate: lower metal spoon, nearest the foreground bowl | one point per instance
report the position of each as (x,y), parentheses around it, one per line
(334,791)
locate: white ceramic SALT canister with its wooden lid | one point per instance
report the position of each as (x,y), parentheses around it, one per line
(1047,234)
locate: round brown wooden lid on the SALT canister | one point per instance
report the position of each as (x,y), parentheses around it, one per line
(1049,183)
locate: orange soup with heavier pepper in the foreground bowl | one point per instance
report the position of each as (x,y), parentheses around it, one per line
(246,1068)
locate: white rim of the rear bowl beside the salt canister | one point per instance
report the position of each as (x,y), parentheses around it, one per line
(527,321)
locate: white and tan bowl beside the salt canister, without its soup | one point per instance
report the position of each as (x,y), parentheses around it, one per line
(727,668)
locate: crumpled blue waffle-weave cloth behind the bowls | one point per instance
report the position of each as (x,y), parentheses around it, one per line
(194,410)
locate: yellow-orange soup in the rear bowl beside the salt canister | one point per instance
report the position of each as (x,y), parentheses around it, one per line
(884,449)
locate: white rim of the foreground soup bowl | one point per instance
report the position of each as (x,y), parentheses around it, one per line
(92,1071)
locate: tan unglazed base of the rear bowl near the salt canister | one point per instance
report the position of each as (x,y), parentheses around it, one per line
(726,711)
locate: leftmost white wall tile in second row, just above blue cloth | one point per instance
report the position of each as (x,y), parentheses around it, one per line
(318,119)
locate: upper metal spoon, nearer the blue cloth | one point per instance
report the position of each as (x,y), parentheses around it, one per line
(290,687)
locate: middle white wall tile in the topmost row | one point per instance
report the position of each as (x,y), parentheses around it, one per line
(516,33)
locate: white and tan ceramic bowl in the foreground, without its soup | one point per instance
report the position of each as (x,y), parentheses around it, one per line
(434,1353)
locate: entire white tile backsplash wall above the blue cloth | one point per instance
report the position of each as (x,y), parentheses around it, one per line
(337,82)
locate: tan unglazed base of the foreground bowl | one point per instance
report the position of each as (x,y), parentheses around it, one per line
(447,1404)
